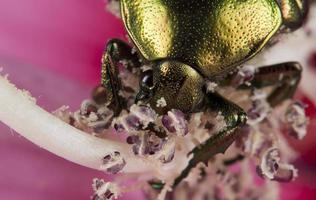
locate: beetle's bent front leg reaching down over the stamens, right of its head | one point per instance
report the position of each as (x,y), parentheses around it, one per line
(234,117)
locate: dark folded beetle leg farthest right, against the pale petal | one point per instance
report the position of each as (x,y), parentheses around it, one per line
(285,76)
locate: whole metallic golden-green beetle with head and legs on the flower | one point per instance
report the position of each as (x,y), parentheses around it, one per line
(191,41)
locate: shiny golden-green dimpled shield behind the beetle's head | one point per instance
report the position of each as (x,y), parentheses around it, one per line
(211,35)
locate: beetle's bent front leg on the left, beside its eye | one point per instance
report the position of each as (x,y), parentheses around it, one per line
(116,51)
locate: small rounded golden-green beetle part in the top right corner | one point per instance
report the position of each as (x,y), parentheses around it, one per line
(294,12)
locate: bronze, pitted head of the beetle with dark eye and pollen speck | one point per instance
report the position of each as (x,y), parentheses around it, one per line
(171,84)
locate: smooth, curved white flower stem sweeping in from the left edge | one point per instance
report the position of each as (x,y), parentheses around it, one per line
(19,111)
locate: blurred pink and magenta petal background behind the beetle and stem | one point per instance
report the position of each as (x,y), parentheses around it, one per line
(53,49)
